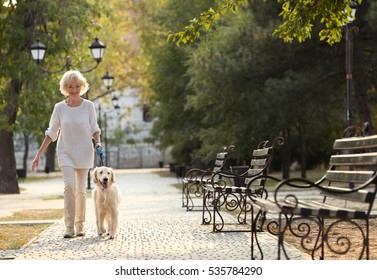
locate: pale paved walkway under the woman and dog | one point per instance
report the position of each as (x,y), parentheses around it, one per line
(153,226)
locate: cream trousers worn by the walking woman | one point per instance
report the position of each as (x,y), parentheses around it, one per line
(75,184)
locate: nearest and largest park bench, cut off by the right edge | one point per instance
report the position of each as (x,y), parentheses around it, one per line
(330,217)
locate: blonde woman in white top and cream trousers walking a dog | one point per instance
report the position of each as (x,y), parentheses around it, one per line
(73,124)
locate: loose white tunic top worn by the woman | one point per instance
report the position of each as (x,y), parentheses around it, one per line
(74,127)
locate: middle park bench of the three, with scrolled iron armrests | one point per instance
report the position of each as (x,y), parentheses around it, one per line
(232,197)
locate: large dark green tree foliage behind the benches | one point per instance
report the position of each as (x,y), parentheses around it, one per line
(245,87)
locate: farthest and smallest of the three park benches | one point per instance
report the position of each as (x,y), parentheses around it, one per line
(192,181)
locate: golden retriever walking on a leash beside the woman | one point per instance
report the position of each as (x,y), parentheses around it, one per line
(107,199)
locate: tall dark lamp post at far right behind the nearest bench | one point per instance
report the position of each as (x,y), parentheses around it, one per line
(349,30)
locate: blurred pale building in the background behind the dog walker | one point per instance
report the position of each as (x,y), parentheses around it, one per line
(127,132)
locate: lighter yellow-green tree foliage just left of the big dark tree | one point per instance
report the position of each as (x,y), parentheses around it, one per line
(167,82)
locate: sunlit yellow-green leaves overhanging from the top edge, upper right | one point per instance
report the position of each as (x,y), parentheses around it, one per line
(298,19)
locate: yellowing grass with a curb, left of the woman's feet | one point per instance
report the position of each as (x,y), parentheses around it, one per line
(14,236)
